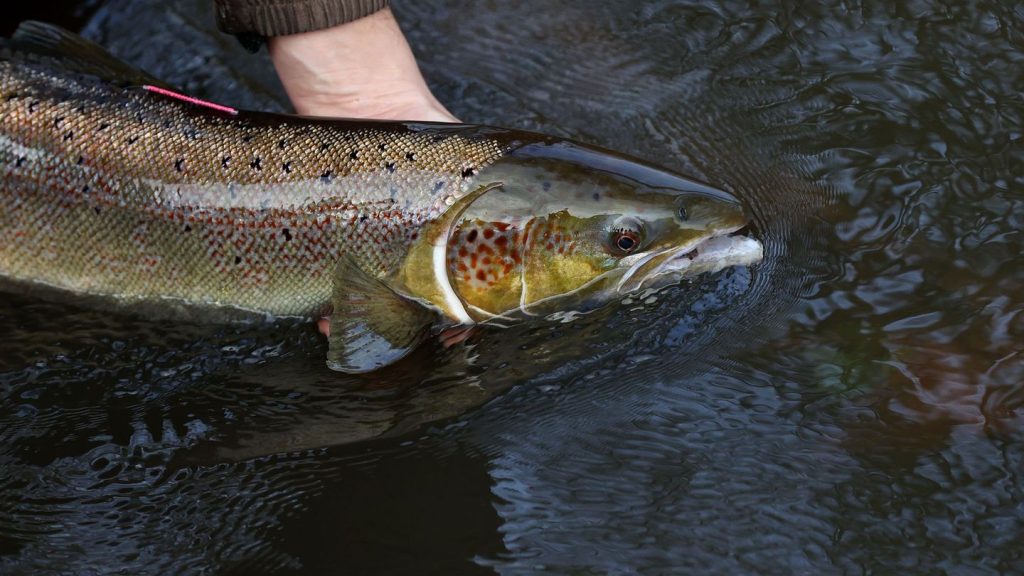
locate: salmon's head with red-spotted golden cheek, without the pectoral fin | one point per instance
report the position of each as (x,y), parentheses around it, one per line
(573,227)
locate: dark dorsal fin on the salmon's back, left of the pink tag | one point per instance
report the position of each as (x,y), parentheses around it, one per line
(76,55)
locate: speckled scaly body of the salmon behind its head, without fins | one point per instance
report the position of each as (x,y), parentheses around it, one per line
(124,193)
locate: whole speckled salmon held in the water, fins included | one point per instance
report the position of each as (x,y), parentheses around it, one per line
(115,190)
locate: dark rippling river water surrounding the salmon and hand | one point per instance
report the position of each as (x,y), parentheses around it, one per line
(852,405)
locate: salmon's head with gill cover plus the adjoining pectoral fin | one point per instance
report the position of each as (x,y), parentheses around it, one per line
(549,227)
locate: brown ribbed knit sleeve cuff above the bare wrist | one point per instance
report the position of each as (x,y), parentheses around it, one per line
(277,18)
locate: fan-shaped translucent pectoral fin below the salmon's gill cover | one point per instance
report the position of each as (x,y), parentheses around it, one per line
(372,325)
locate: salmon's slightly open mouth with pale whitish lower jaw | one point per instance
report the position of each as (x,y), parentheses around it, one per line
(730,249)
